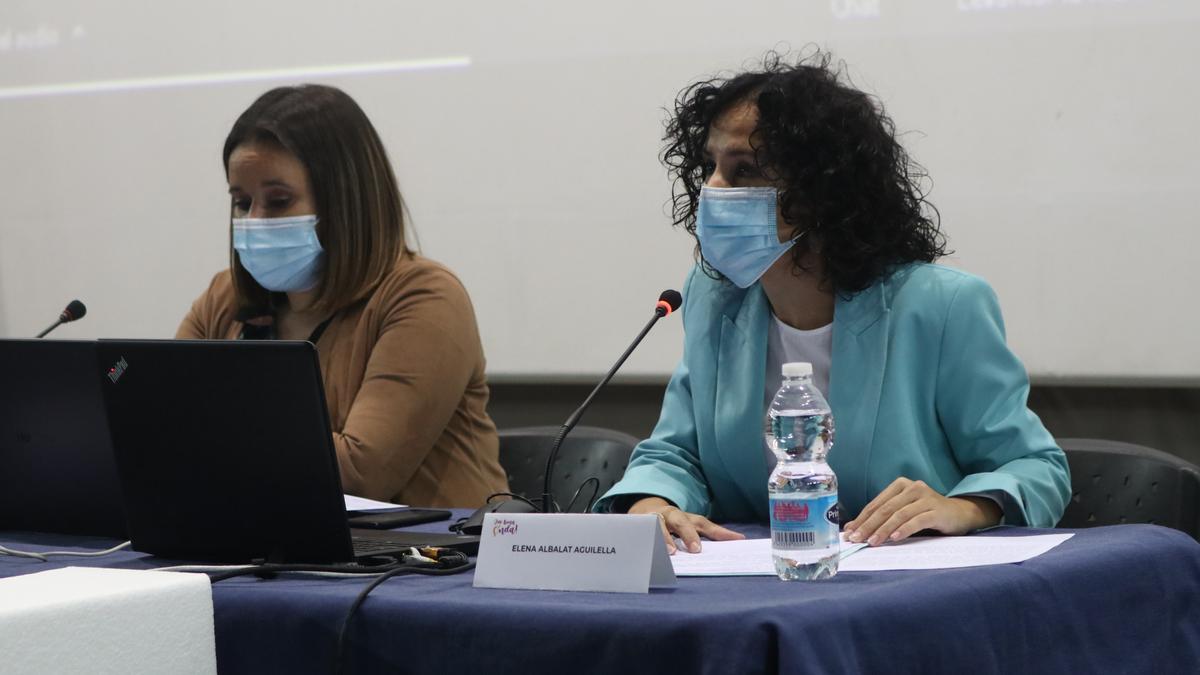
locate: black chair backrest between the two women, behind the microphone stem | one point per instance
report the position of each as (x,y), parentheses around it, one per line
(587,452)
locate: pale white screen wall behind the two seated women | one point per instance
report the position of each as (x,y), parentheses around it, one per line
(1059,135)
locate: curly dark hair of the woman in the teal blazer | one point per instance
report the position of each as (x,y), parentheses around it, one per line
(843,175)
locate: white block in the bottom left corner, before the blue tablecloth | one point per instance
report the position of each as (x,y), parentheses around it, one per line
(107,622)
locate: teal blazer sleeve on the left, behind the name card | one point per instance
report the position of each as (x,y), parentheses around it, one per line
(668,464)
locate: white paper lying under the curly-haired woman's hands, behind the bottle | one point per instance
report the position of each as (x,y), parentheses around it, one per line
(753,557)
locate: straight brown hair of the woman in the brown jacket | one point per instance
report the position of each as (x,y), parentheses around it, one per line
(361,216)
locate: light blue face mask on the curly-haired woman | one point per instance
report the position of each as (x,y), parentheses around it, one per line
(737,234)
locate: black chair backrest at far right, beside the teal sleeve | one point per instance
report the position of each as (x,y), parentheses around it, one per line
(1113,483)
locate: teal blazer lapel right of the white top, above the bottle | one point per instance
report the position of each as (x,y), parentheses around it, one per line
(856,381)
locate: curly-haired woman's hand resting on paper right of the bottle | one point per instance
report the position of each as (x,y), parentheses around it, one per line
(907,507)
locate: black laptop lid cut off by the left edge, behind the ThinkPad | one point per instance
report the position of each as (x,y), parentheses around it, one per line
(57,469)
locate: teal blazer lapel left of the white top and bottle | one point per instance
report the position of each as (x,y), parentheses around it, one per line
(741,378)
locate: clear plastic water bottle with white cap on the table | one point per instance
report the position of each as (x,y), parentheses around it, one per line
(805,540)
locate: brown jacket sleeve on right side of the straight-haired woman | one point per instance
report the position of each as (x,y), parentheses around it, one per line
(416,379)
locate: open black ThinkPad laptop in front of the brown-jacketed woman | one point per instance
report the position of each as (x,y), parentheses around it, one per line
(225,453)
